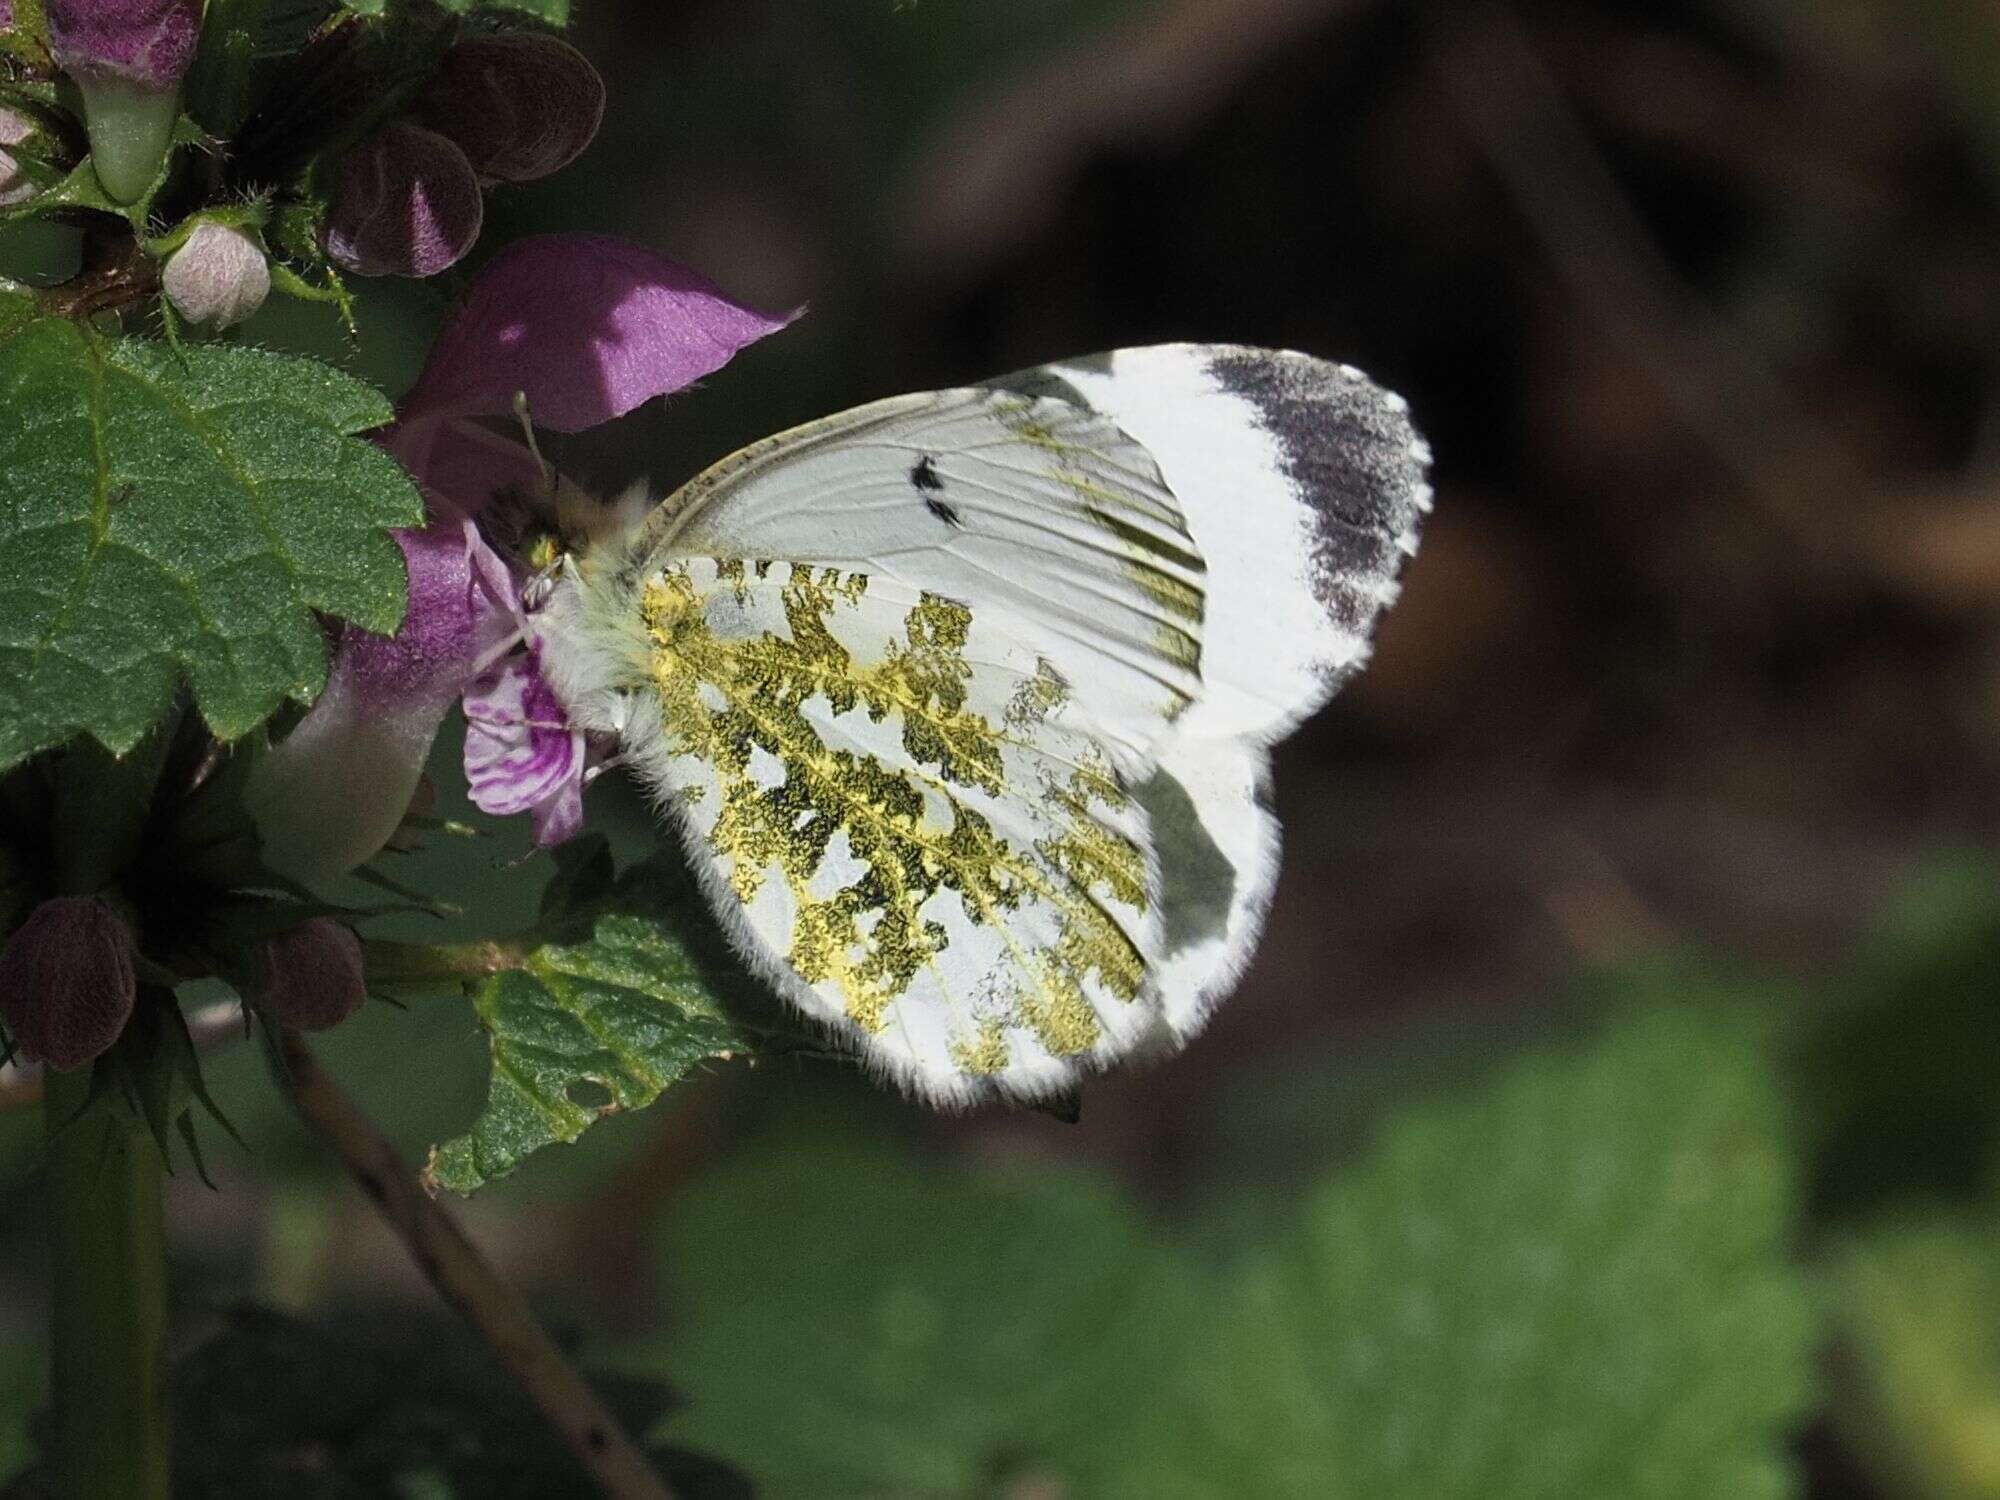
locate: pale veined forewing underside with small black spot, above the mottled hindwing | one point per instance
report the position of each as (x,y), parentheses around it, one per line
(1033,507)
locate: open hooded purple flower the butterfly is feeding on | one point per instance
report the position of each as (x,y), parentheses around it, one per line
(587,329)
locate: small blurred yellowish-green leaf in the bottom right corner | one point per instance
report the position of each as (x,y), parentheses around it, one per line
(1919,1391)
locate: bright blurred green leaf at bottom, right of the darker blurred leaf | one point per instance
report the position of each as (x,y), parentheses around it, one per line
(1571,1281)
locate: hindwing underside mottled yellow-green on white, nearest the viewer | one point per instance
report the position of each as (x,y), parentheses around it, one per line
(907,813)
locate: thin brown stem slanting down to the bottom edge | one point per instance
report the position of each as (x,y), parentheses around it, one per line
(453,1265)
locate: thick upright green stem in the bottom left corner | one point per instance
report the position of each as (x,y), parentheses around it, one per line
(109,1299)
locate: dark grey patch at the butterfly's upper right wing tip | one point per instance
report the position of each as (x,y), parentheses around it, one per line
(1353,457)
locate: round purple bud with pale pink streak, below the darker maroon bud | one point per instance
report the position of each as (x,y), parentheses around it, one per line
(407,205)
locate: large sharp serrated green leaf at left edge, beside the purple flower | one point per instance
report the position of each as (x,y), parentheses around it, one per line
(181,515)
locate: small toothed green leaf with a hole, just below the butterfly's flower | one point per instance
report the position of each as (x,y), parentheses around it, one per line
(583,1031)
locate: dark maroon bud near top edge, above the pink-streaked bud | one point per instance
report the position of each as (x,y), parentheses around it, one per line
(519,107)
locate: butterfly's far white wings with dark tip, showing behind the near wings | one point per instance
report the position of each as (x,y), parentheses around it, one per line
(1303,485)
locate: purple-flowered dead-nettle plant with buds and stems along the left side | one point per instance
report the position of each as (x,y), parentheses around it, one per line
(247,589)
